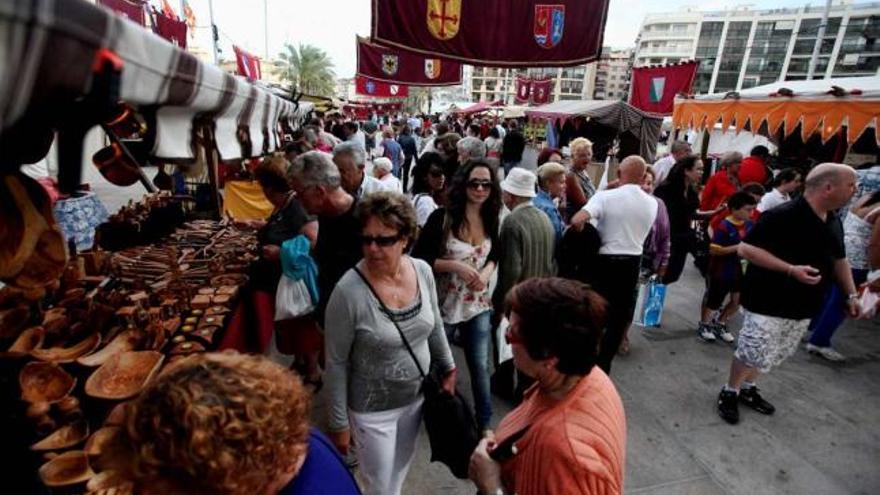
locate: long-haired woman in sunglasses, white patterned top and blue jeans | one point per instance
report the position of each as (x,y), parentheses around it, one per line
(461,243)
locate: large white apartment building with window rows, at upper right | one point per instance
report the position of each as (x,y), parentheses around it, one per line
(742,48)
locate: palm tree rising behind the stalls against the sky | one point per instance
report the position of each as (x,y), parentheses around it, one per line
(309,69)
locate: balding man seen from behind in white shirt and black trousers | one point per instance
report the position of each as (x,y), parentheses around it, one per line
(623,216)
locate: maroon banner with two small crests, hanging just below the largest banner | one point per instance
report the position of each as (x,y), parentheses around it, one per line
(402,67)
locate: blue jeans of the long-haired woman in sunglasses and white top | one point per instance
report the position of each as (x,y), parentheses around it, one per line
(476,336)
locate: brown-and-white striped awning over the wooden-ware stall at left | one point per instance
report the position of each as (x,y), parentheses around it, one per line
(47,56)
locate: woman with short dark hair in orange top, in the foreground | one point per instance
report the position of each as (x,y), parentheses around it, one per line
(555,326)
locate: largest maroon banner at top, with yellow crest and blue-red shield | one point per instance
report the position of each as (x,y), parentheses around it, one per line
(496,33)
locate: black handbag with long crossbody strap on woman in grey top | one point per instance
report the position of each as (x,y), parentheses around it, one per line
(452,429)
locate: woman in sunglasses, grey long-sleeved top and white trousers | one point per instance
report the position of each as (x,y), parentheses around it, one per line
(373,383)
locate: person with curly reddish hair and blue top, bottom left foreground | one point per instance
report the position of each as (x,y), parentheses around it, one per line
(225,424)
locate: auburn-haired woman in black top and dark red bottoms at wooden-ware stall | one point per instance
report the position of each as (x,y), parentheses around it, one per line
(288,220)
